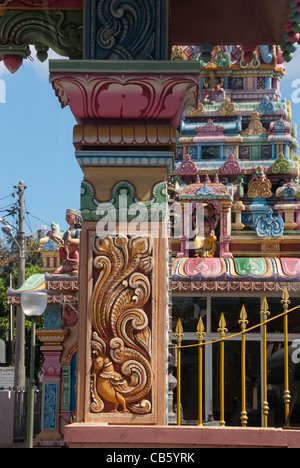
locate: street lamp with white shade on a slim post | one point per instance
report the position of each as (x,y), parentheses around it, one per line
(34,305)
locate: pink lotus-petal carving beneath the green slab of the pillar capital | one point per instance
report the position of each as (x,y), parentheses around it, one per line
(152,97)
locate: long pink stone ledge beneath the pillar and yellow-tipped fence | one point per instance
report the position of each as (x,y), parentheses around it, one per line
(80,435)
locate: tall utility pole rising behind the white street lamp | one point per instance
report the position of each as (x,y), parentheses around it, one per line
(20,322)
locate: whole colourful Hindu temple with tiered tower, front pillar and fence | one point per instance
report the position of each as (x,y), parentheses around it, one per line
(180,126)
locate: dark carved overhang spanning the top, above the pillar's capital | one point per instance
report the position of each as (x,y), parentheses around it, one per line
(70,27)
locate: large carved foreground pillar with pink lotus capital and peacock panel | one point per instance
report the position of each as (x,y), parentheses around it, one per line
(125,143)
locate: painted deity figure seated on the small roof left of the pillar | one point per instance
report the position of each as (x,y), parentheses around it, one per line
(68,244)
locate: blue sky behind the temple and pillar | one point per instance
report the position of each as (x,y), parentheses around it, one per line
(36,141)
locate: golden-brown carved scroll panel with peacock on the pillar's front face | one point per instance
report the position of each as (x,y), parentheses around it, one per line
(121,379)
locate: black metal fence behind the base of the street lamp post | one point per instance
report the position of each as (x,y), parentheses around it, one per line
(20,414)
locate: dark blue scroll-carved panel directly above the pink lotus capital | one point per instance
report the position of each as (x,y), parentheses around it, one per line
(126,30)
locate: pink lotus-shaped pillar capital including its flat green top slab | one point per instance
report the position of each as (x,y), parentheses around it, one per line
(141,92)
